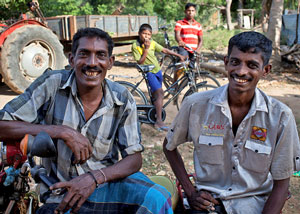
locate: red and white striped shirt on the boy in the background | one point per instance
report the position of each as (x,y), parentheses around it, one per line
(189,33)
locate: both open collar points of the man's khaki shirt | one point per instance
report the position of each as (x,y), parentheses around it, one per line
(258,103)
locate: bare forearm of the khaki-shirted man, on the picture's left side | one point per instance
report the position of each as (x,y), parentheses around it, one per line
(179,170)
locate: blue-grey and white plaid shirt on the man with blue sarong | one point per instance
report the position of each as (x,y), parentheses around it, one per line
(53,100)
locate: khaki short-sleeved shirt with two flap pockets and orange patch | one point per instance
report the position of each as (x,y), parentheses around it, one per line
(239,169)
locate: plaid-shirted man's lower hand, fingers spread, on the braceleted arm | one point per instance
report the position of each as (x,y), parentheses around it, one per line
(79,189)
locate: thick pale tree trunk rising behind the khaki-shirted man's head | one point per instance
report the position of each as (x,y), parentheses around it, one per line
(274,28)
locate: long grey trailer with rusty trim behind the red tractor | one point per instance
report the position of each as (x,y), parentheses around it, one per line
(122,28)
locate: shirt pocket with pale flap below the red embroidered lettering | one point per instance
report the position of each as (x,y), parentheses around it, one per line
(210,149)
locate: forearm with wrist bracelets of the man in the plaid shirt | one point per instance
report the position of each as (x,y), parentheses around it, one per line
(125,167)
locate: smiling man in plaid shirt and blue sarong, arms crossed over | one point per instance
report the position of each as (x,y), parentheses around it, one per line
(93,120)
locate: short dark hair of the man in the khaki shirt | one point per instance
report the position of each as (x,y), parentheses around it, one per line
(249,40)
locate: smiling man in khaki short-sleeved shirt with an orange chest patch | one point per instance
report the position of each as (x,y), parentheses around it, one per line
(246,144)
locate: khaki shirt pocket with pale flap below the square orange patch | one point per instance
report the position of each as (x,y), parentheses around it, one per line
(257,157)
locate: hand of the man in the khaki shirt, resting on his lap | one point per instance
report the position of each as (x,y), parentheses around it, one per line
(202,200)
